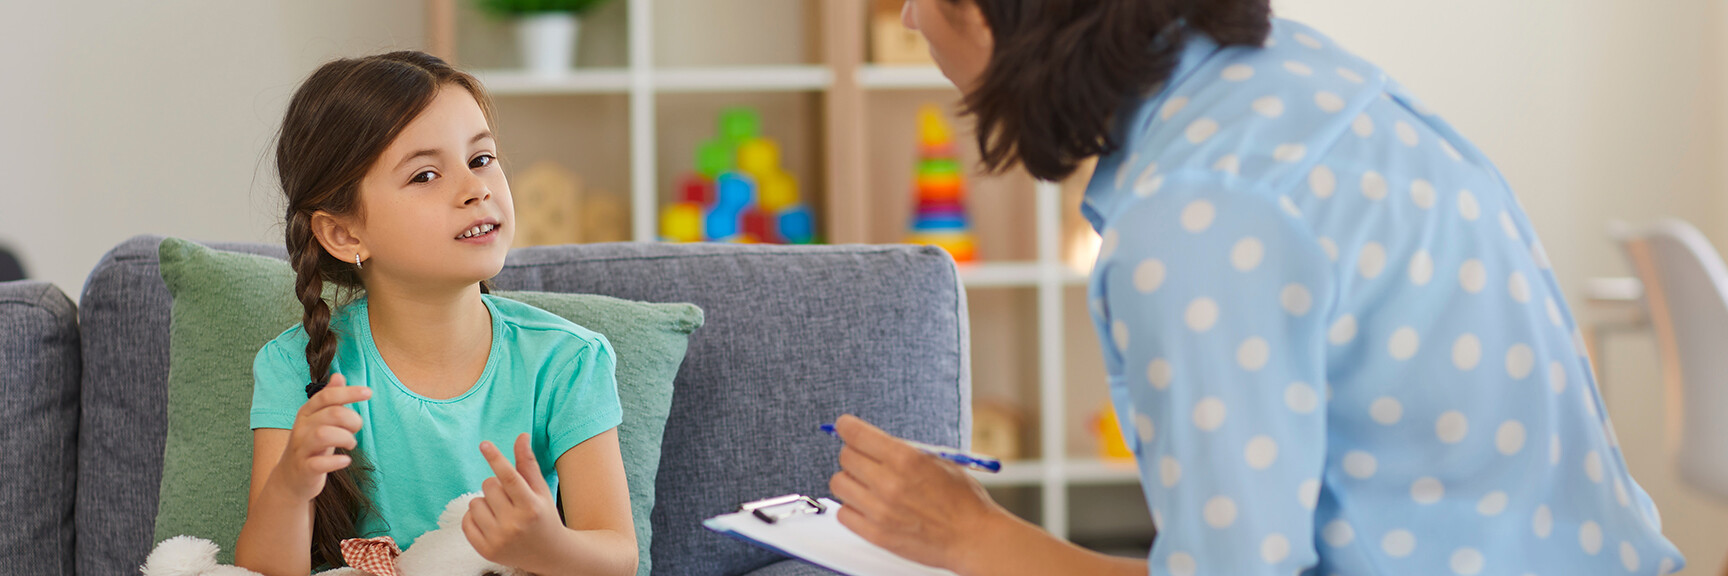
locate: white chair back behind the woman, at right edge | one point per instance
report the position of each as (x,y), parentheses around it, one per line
(1686,291)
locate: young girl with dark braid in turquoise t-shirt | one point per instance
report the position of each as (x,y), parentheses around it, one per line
(395,193)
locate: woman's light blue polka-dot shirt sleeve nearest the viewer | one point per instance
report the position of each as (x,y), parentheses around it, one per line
(1216,305)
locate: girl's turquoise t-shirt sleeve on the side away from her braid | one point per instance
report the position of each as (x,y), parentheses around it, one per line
(583,397)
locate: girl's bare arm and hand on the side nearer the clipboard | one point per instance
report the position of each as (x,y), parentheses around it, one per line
(518,520)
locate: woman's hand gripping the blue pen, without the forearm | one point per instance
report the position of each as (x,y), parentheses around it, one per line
(908,502)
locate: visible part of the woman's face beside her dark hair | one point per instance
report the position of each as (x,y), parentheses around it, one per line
(960,41)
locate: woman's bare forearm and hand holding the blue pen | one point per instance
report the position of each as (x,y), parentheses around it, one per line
(932,513)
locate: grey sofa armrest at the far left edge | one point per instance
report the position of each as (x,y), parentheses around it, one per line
(39,426)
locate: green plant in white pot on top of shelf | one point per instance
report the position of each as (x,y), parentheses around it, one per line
(545,30)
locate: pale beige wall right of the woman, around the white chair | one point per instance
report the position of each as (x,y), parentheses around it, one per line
(1594,110)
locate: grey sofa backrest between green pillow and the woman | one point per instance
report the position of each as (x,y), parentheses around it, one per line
(794,338)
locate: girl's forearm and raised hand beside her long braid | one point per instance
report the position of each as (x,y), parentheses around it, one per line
(288,473)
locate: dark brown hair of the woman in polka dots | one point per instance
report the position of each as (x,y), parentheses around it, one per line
(1062,70)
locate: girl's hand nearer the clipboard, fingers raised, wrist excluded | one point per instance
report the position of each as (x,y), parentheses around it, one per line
(518,520)
